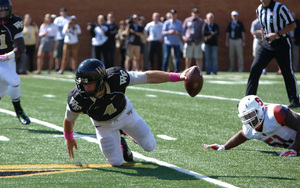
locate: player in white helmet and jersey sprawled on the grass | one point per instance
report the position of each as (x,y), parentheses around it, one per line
(276,125)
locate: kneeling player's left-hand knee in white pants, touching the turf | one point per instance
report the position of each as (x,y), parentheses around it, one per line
(113,157)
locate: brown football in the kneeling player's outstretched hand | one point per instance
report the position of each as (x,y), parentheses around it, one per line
(194,82)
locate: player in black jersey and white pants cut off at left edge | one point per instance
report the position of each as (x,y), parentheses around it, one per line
(12,46)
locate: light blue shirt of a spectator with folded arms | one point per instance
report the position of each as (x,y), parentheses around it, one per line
(172,39)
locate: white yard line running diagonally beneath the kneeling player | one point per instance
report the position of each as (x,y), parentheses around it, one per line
(137,155)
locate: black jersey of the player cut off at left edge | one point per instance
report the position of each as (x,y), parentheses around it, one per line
(7,33)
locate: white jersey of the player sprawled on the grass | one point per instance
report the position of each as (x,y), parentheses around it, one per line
(273,133)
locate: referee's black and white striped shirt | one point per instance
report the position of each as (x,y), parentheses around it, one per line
(274,18)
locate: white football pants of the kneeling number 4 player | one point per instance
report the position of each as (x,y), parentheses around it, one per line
(108,134)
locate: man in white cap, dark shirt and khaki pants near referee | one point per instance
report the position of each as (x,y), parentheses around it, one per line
(235,41)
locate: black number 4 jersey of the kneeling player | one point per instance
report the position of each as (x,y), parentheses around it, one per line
(111,104)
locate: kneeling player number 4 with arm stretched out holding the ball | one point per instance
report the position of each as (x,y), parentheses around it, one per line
(100,93)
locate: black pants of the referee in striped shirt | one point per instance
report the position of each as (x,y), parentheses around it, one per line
(279,49)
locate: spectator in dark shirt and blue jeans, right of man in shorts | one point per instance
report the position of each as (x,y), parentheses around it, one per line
(211,32)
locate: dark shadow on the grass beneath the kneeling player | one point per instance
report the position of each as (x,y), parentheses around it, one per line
(155,170)
